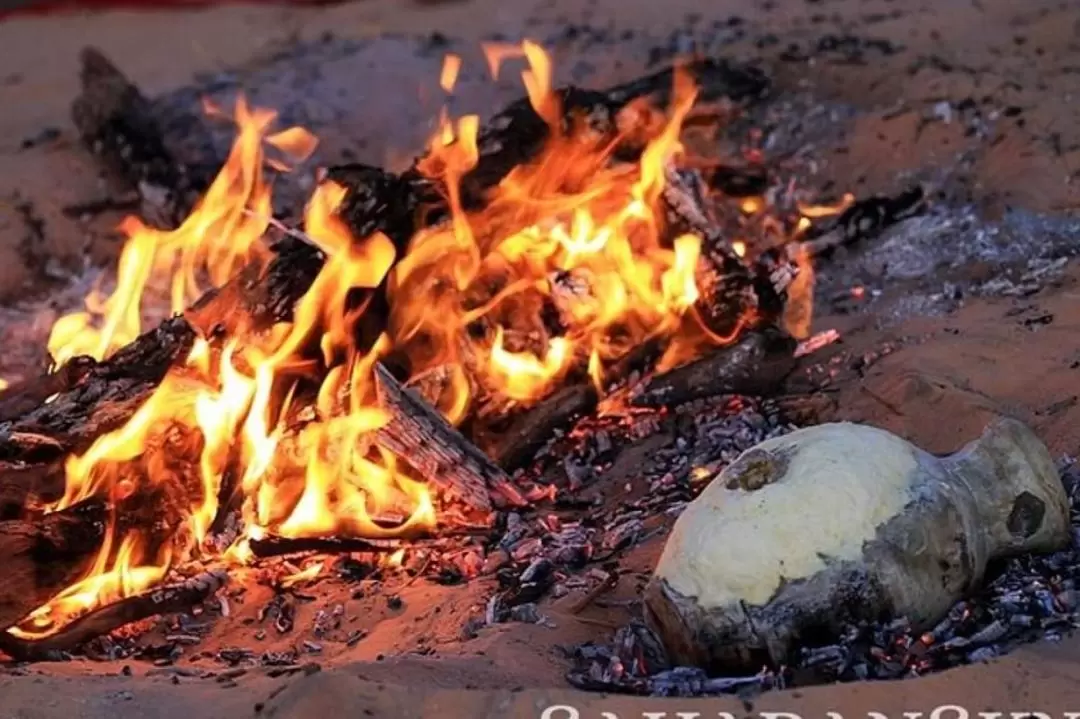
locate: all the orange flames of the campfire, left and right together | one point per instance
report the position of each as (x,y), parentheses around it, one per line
(570,235)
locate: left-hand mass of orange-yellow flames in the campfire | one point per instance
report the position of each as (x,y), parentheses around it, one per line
(335,480)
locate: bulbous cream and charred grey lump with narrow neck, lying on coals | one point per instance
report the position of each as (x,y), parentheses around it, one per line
(842,523)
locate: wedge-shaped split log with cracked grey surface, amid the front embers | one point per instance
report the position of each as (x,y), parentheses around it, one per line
(420,436)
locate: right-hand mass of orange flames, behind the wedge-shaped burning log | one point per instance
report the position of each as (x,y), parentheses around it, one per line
(568,230)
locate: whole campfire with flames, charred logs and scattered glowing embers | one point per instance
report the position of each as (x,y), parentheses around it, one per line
(504,369)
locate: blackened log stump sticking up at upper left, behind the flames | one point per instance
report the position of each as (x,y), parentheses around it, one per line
(117,124)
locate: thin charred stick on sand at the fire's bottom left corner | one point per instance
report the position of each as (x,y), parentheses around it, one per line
(172,599)
